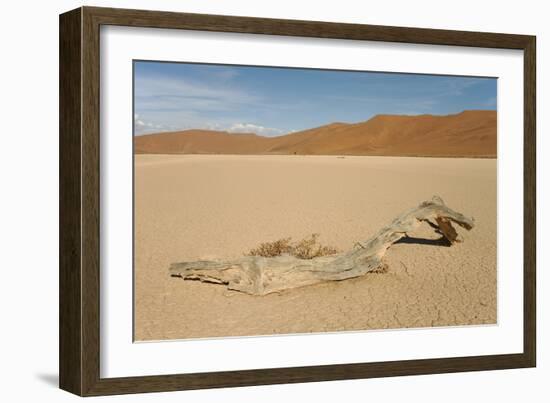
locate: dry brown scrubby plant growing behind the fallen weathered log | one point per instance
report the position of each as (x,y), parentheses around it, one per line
(307,248)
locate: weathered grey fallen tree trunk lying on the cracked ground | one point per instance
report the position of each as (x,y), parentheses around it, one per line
(258,275)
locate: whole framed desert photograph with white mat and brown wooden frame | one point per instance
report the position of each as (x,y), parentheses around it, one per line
(248,201)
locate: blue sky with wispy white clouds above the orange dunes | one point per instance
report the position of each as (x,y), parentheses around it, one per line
(271,101)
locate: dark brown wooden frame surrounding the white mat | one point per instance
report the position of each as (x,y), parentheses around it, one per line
(79,347)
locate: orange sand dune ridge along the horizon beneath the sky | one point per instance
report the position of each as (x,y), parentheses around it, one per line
(466,134)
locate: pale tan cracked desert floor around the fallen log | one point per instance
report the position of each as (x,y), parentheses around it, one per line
(207,206)
